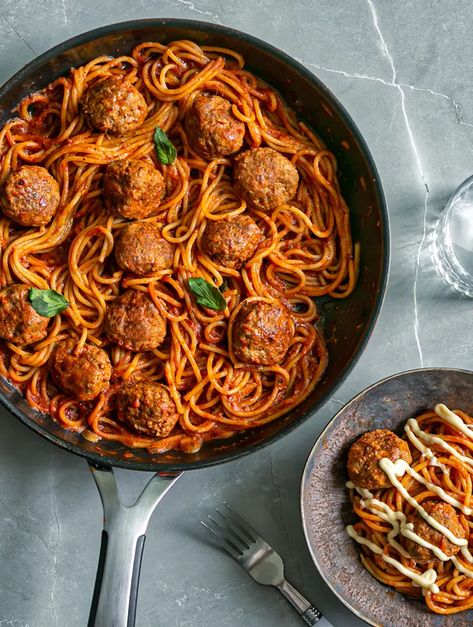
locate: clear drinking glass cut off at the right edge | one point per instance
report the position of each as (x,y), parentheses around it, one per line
(453,240)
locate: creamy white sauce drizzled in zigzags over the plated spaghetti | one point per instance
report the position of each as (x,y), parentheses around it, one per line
(395,470)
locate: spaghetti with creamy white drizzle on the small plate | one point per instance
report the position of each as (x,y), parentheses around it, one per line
(429,557)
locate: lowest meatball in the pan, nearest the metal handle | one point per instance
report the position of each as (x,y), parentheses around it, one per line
(148,408)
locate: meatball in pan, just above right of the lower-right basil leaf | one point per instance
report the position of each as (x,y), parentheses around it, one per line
(231,243)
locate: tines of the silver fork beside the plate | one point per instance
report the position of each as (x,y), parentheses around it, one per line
(233,533)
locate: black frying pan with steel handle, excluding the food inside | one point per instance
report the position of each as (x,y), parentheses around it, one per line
(348,323)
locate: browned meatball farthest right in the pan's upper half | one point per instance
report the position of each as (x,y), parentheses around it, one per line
(265,178)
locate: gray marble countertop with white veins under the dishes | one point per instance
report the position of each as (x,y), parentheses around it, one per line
(403,71)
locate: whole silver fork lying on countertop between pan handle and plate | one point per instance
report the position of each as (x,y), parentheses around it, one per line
(258,559)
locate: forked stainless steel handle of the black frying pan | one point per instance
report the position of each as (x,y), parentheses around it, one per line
(123,537)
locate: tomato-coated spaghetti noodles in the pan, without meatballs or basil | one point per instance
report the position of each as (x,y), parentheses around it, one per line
(306,251)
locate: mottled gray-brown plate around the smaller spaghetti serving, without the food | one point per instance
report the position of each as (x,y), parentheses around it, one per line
(325,505)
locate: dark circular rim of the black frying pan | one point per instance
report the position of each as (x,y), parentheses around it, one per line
(91,35)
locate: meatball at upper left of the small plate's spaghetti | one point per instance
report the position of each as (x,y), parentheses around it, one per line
(365,454)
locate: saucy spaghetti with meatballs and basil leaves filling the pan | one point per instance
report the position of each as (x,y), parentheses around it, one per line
(166,225)
